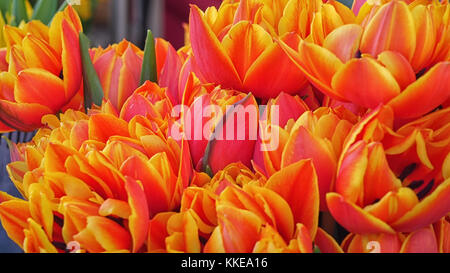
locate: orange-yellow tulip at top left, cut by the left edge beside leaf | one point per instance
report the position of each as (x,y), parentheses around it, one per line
(44,70)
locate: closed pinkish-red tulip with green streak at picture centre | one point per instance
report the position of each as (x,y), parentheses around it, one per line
(213,125)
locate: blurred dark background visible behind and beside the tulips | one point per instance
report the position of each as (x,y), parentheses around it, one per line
(110,21)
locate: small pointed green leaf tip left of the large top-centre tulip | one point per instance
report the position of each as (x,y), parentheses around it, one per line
(149,72)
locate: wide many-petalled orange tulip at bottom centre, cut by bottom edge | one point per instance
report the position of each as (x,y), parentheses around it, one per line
(237,211)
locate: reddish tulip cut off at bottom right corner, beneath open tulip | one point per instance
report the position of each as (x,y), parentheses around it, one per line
(432,239)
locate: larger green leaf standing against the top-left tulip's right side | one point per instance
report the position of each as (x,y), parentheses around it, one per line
(93,91)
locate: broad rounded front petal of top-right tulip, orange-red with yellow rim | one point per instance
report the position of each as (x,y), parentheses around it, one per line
(365,82)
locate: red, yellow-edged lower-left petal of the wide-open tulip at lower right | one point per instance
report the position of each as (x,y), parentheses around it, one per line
(353,218)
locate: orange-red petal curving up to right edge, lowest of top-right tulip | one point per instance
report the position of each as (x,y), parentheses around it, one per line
(425,94)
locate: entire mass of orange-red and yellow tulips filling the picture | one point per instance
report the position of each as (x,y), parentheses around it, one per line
(280,126)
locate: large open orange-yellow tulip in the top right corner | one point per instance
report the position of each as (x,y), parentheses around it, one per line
(398,56)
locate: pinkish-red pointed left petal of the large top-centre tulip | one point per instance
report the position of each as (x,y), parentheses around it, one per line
(212,60)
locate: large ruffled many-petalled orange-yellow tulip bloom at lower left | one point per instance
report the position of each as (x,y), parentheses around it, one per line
(102,177)
